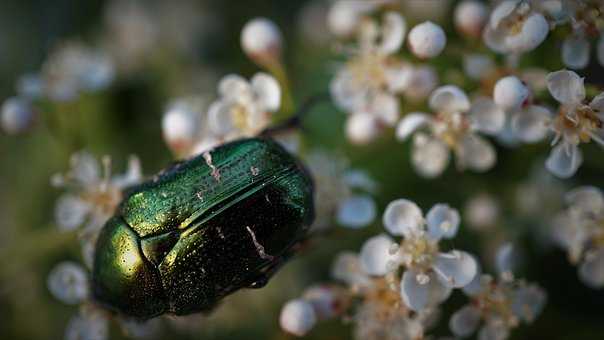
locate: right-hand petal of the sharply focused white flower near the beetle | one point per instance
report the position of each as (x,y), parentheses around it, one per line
(455,269)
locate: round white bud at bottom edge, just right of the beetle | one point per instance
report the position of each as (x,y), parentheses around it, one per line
(297,317)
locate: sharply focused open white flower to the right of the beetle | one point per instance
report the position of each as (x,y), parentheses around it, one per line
(429,274)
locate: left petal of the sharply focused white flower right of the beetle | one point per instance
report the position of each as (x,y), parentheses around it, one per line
(375,255)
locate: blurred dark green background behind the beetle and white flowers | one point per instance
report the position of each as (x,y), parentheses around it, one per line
(125,119)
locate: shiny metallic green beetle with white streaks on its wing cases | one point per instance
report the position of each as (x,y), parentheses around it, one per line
(198,231)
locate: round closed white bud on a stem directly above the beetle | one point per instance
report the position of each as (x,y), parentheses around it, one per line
(261,40)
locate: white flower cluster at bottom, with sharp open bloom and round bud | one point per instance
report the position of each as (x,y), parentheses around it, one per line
(382,302)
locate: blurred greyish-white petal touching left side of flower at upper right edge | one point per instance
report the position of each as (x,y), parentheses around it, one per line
(531,125)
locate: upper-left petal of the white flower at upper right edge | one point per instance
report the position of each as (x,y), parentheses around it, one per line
(566,87)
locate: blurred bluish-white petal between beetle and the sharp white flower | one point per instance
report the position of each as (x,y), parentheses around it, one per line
(356,211)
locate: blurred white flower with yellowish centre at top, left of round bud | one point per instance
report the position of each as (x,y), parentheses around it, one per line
(370,79)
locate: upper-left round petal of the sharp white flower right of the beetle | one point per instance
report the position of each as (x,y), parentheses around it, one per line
(402,217)
